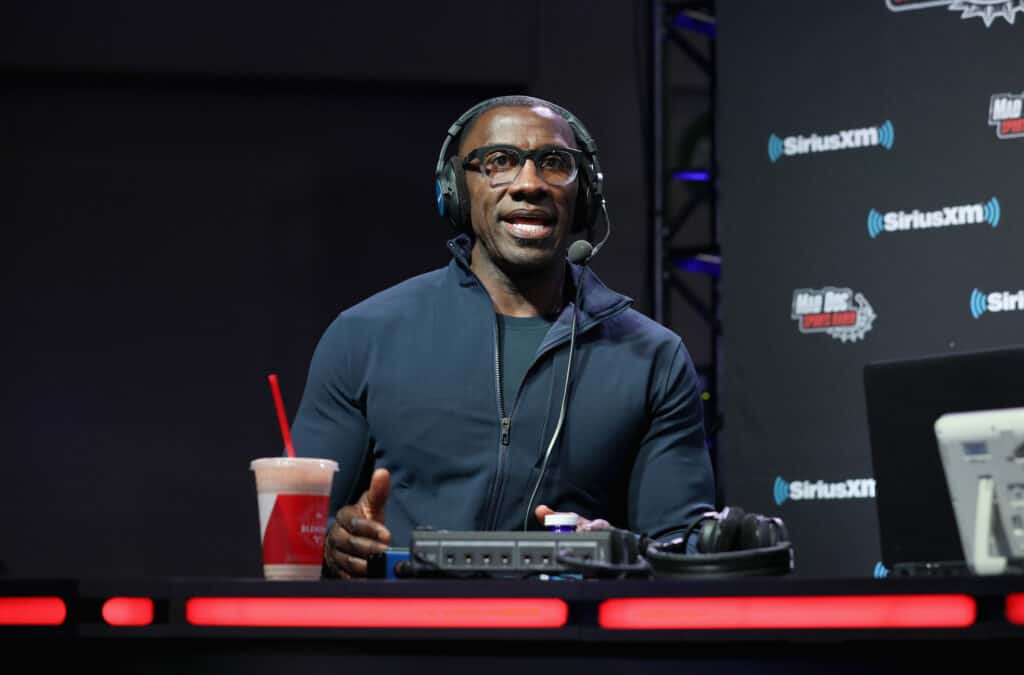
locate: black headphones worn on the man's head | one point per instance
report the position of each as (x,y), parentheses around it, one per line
(450,178)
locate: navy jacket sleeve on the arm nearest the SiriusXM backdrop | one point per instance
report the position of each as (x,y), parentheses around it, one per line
(672,484)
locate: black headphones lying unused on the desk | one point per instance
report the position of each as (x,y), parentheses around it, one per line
(730,543)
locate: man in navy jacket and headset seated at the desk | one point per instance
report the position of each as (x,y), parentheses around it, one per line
(442,397)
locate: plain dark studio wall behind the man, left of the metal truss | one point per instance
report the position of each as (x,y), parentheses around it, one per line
(190,193)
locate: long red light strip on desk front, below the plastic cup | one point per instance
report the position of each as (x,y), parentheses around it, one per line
(378,613)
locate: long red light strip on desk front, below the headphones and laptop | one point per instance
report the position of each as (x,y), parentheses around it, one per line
(789,613)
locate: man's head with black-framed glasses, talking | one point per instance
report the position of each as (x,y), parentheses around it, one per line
(521,215)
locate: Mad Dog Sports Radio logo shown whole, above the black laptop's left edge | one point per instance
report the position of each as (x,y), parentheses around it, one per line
(839,313)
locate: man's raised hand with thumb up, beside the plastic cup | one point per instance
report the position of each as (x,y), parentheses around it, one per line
(358,531)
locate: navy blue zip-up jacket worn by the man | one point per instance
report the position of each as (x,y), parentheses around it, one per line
(407,381)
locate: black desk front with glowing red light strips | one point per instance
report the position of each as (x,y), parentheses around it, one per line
(766,625)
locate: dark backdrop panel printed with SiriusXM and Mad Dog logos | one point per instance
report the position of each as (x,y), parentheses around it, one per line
(795,400)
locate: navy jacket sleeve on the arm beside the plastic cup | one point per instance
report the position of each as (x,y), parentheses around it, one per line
(331,421)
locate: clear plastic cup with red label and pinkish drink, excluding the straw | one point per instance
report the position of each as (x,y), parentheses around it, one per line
(294,496)
